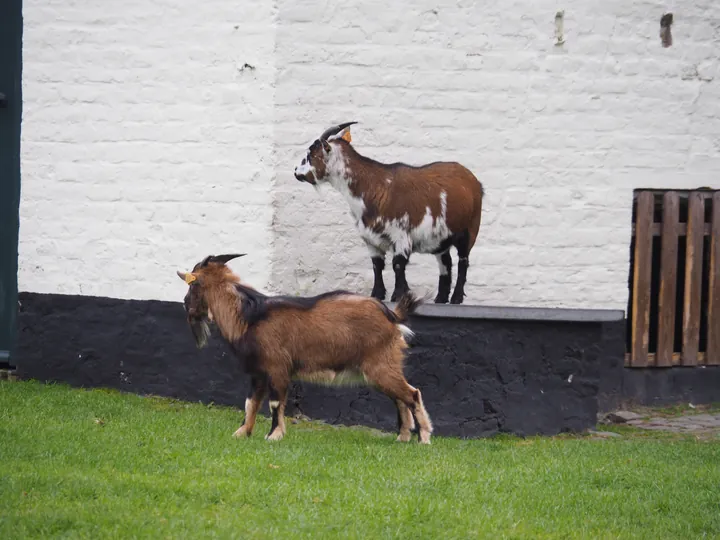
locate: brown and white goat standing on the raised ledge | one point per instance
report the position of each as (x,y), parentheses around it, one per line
(402,208)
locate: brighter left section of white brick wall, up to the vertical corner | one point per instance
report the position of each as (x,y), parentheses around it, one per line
(145,146)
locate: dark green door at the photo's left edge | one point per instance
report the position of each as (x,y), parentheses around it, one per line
(10,117)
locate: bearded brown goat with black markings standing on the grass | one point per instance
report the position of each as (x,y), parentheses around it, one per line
(334,338)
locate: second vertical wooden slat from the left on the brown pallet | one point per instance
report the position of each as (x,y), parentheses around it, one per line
(668,279)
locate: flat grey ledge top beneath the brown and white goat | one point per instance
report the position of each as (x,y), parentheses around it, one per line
(465,311)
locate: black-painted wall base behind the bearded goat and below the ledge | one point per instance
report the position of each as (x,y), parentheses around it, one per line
(478,376)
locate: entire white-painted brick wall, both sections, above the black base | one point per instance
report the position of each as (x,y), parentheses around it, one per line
(134,113)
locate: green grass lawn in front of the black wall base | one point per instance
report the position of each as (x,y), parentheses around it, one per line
(98,464)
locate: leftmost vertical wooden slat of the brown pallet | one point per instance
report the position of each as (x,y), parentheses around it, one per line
(641,279)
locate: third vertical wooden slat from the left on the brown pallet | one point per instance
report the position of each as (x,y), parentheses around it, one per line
(693,280)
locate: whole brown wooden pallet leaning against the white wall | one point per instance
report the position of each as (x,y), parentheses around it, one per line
(674,307)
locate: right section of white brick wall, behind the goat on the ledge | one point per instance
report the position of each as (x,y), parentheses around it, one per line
(559,137)
